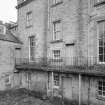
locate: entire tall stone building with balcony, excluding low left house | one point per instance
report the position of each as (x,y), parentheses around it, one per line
(63,51)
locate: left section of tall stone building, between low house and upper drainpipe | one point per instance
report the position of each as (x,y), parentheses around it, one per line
(32,29)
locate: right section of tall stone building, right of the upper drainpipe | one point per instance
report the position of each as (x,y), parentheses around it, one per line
(76,46)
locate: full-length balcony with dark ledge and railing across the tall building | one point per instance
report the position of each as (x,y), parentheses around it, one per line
(87,65)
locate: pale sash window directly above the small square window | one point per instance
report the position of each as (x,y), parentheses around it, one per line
(57,30)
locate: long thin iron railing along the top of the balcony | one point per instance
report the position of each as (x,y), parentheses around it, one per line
(64,61)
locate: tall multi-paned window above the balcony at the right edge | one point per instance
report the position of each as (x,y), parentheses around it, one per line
(101,32)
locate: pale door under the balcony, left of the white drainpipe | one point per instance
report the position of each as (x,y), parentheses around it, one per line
(67,88)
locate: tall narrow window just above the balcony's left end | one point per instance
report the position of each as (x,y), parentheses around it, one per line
(32,47)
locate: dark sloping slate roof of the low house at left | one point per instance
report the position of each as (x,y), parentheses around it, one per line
(10,37)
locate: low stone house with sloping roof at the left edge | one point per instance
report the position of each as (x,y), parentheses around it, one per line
(8,45)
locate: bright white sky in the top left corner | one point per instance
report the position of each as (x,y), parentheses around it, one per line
(8,11)
